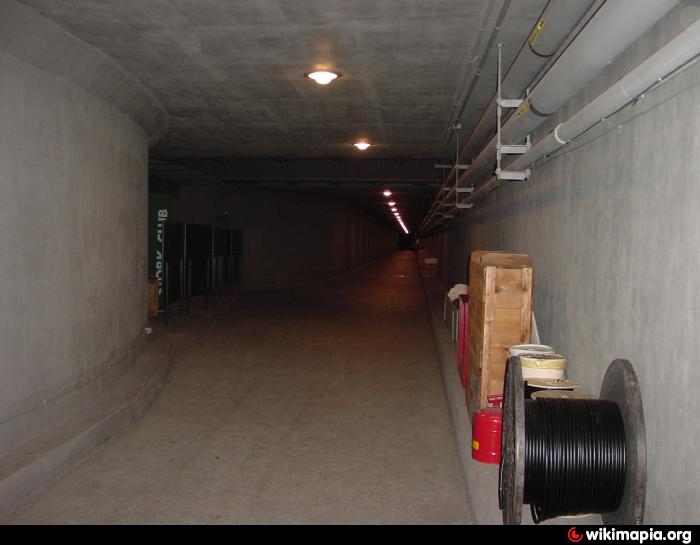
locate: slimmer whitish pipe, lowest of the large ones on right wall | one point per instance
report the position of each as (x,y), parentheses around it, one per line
(676,53)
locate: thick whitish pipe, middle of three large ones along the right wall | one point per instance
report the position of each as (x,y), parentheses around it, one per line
(616,25)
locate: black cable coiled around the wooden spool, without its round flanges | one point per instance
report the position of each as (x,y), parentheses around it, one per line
(574,457)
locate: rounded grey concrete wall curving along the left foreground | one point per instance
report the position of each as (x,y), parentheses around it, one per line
(73,182)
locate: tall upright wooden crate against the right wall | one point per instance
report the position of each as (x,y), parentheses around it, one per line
(500,314)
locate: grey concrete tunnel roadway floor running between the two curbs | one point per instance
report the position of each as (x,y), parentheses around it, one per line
(322,405)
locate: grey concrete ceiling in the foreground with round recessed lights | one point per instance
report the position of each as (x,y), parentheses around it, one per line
(230,73)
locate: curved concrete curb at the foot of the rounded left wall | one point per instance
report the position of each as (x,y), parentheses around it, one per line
(33,467)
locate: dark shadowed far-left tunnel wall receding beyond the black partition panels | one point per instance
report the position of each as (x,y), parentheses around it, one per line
(288,236)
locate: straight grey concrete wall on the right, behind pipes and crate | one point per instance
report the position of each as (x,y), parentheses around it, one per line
(613,228)
